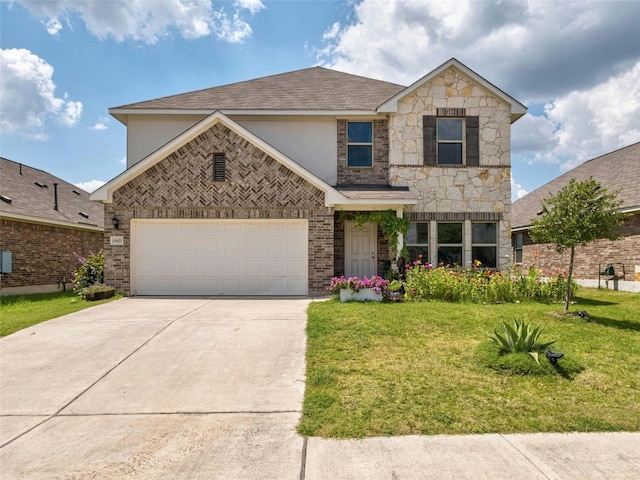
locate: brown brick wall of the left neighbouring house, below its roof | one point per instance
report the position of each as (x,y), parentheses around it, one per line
(43,254)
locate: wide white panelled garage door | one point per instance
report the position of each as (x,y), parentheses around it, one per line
(219,257)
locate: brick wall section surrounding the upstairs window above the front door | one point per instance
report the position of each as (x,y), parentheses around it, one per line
(376,175)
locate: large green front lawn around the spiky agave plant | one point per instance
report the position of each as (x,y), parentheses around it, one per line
(426,368)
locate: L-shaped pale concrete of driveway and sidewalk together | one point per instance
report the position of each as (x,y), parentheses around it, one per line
(212,388)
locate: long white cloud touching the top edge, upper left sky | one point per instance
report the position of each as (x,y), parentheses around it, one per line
(148,21)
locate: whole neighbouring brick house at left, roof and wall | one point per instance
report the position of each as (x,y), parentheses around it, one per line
(44,223)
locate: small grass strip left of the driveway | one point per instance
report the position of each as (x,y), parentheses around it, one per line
(22,311)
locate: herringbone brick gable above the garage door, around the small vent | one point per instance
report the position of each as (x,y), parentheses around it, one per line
(253,178)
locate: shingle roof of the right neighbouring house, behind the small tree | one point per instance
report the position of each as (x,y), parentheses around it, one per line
(616,170)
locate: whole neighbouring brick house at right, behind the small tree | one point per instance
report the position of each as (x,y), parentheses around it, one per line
(618,170)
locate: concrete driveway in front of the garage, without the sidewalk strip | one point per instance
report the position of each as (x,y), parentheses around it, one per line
(156,388)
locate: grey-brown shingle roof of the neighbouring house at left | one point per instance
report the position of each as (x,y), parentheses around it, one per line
(27,198)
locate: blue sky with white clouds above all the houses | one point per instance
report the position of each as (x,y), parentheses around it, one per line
(64,63)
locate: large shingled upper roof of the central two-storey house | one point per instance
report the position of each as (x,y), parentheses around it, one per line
(314,88)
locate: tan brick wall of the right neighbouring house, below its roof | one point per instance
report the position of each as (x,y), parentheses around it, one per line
(626,250)
